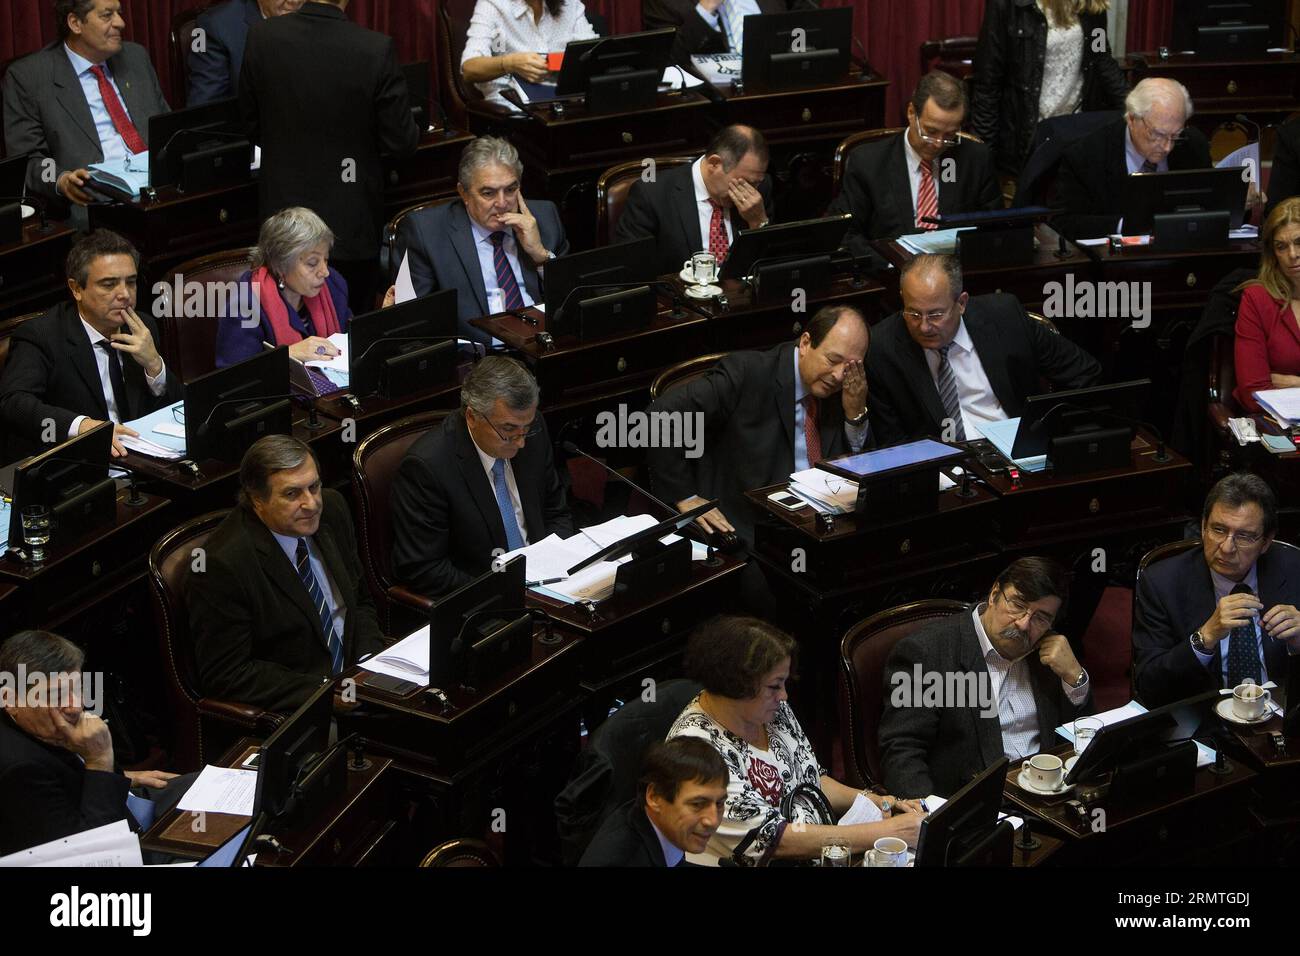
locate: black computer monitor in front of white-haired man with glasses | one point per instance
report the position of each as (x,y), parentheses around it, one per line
(1147,196)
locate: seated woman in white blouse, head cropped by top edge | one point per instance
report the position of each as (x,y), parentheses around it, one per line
(514,37)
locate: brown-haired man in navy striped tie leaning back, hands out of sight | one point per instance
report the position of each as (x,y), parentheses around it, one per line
(280,603)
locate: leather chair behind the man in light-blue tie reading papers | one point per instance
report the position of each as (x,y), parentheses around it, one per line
(375,465)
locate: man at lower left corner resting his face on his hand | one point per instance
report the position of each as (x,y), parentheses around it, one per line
(58,776)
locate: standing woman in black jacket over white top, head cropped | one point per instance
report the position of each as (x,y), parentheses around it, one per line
(1038,59)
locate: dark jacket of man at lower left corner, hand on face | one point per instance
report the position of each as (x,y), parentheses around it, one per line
(47,793)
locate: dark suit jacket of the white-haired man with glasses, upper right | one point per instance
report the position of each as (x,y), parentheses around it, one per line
(1091,179)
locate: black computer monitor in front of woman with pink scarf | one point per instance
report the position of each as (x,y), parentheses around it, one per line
(397,351)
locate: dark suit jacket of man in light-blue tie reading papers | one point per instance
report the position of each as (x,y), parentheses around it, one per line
(445,518)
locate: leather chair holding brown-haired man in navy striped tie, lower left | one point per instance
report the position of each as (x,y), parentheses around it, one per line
(205,726)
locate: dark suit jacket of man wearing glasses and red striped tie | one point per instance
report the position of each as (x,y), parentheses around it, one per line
(877,191)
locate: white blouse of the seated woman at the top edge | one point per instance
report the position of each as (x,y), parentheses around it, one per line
(508,27)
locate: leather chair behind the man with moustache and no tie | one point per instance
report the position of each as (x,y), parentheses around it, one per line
(864,654)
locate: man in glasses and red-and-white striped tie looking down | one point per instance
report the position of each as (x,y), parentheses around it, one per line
(929,170)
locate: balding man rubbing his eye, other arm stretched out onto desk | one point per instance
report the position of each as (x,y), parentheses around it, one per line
(765,416)
